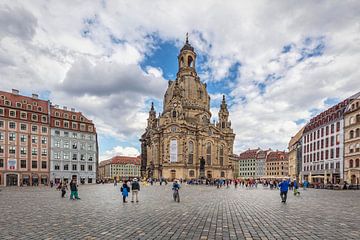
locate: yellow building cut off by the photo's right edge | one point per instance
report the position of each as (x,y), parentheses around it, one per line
(352,142)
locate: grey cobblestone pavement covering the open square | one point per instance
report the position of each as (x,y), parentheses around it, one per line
(203,213)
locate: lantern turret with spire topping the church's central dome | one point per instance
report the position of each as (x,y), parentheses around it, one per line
(186,59)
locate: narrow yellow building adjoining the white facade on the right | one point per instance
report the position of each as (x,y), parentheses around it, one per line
(295,155)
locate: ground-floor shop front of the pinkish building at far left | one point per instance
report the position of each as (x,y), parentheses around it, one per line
(23,179)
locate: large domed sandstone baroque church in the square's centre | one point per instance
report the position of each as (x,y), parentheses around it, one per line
(182,142)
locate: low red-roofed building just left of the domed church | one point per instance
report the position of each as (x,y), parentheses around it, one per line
(120,167)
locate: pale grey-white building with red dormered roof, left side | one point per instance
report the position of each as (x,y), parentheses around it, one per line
(74,150)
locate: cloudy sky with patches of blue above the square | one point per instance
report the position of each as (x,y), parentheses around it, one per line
(278,62)
